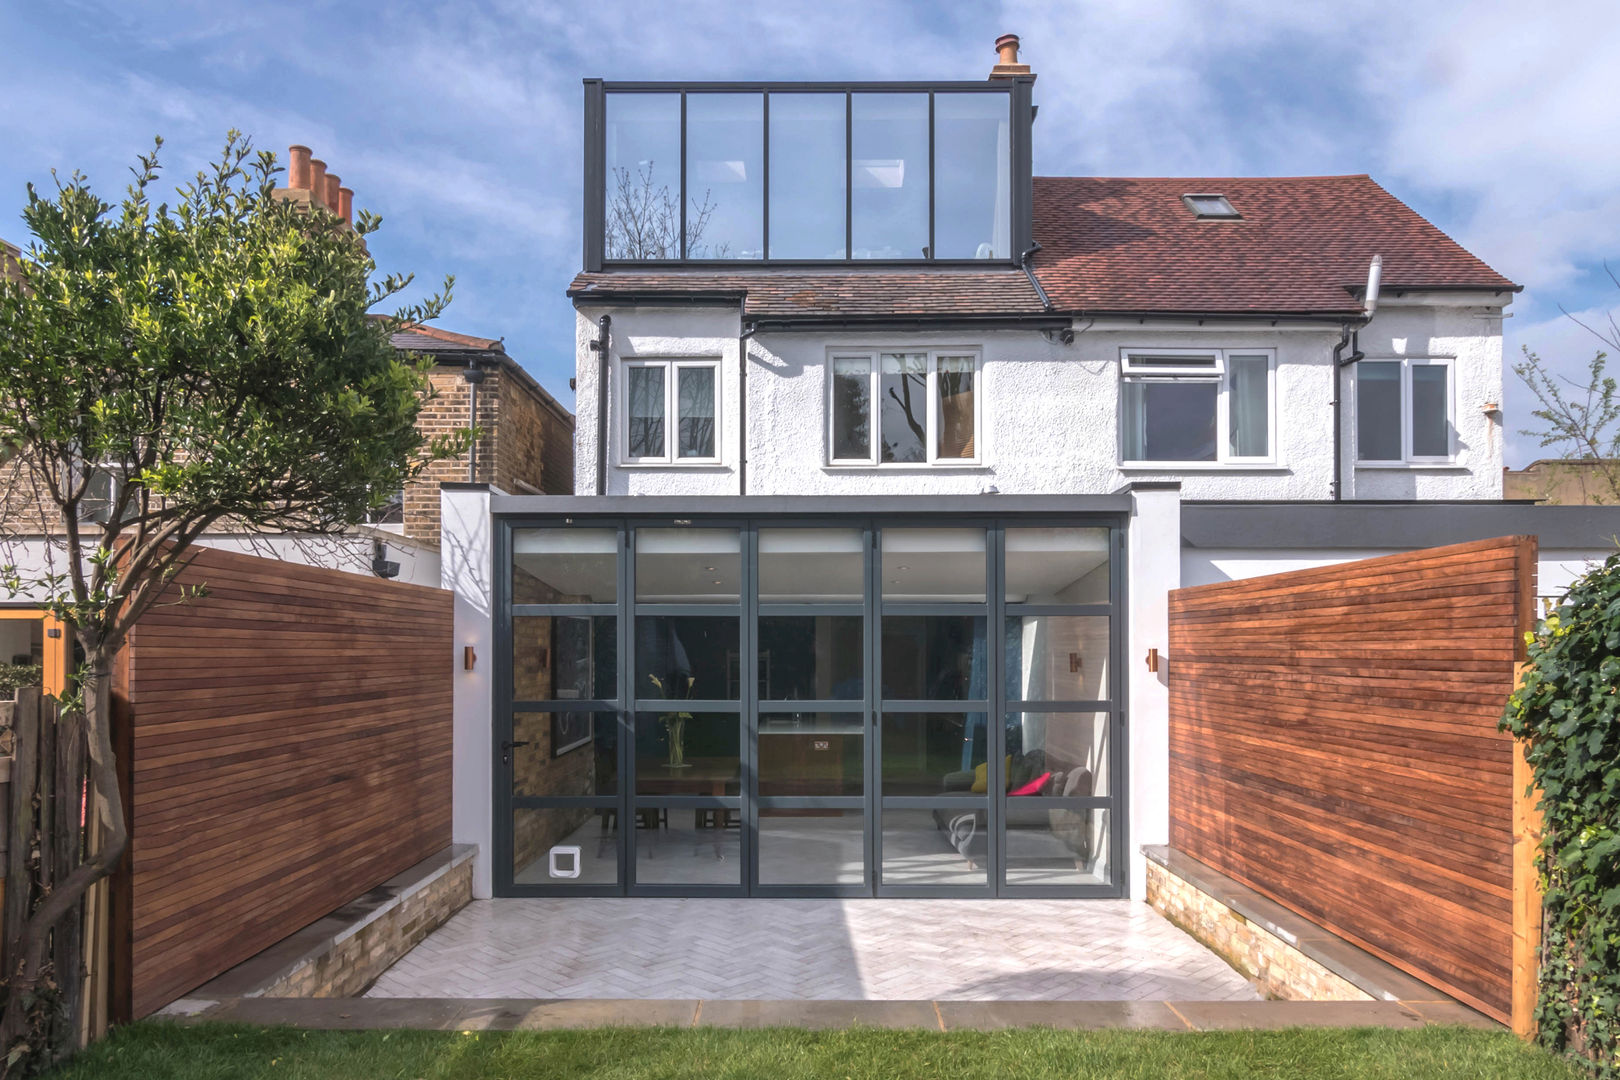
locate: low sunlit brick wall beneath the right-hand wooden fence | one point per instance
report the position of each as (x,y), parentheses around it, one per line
(1279,969)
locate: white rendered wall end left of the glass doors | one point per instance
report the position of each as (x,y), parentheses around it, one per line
(467,568)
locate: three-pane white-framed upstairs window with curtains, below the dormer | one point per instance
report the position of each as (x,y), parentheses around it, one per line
(905,407)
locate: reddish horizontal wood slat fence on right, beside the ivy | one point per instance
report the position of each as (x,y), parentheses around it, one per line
(1334,746)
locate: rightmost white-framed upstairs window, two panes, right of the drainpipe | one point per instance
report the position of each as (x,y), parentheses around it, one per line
(1405,412)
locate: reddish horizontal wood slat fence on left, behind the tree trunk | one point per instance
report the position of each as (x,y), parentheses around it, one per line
(288,749)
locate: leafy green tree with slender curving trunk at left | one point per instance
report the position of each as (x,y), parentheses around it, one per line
(164,370)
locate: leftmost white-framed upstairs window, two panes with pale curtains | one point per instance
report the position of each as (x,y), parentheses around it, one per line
(671,412)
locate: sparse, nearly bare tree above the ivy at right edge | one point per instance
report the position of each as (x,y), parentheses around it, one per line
(1582,420)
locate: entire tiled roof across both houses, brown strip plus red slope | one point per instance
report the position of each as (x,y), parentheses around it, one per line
(1125,245)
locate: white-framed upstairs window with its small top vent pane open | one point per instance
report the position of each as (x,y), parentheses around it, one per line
(1198,407)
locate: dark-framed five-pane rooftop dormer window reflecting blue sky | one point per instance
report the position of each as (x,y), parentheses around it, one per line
(806,172)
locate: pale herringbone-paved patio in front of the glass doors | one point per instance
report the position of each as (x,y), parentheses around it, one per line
(814,950)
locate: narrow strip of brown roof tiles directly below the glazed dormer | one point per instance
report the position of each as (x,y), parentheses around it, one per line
(799,294)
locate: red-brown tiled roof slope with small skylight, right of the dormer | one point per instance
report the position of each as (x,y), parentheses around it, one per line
(1302,247)
